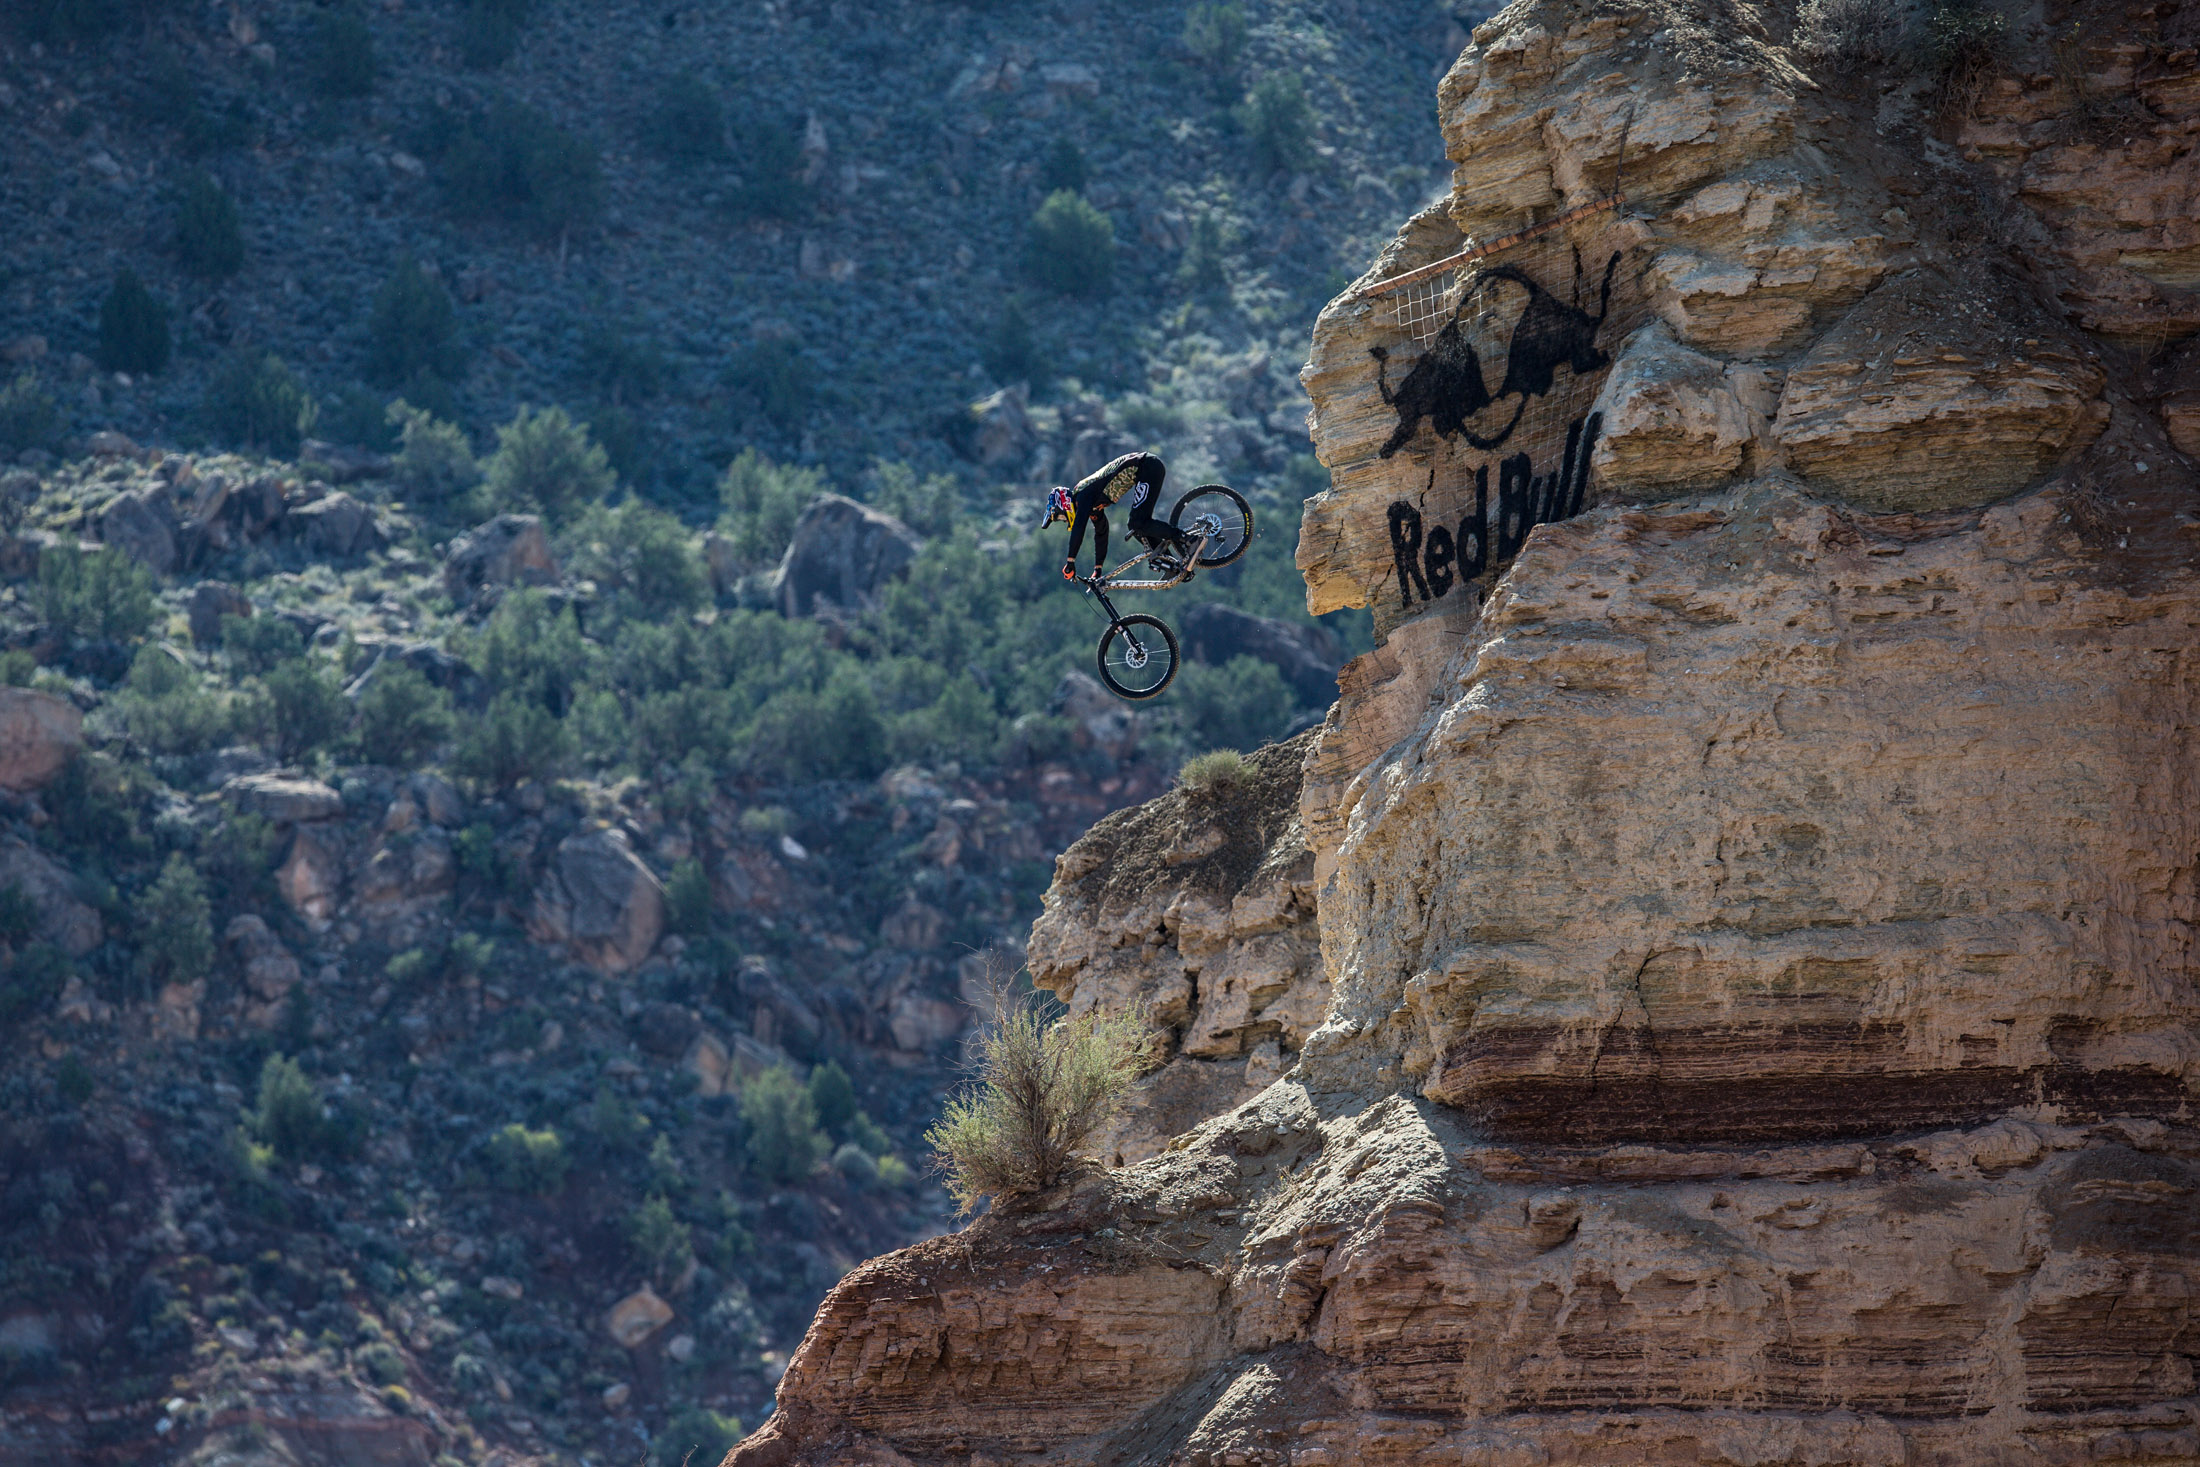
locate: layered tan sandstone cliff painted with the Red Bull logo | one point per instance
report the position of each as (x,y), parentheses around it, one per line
(1754,894)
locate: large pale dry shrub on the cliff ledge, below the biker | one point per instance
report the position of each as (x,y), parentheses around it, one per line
(1044,1085)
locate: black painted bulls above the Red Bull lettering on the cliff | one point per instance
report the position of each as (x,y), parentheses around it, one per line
(1449,388)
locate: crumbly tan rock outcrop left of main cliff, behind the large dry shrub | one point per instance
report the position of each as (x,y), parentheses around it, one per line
(1198,907)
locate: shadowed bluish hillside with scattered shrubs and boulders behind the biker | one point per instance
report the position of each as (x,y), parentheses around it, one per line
(529,703)
